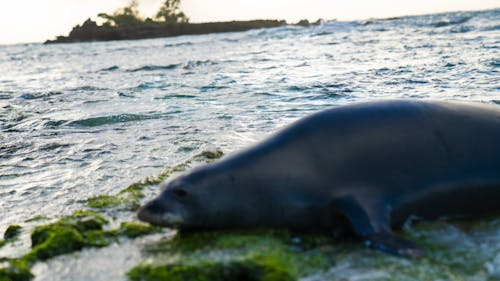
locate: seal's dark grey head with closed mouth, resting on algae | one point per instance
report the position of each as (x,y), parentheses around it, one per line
(203,198)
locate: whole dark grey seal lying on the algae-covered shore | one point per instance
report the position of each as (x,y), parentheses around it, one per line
(364,168)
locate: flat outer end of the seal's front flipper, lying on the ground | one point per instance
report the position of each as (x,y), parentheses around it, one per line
(388,243)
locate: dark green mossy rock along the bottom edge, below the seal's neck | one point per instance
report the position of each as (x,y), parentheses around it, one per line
(247,270)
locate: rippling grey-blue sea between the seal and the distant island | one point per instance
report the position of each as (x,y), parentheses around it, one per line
(79,120)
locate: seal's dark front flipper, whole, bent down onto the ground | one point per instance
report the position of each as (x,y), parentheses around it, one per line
(371,223)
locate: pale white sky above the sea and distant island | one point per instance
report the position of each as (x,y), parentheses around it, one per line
(38,20)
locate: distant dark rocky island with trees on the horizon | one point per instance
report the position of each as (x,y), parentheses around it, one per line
(127,24)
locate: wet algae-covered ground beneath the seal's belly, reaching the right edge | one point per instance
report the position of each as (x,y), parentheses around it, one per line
(451,254)
